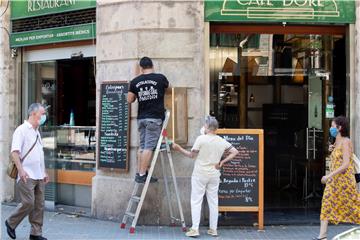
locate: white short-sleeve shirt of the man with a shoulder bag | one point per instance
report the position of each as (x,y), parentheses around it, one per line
(23,139)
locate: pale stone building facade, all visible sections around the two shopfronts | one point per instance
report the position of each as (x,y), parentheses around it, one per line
(175,35)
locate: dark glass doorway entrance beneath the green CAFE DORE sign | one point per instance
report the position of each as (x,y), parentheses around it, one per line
(289,81)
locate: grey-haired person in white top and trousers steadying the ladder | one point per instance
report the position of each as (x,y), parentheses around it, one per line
(208,150)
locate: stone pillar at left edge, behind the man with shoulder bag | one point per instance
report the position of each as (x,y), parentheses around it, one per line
(9,100)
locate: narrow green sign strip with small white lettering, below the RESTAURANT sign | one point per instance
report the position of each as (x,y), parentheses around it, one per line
(54,35)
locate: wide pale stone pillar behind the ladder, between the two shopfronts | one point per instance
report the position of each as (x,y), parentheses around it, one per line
(172,34)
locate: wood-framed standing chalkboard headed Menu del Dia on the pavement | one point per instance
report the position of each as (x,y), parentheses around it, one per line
(241,186)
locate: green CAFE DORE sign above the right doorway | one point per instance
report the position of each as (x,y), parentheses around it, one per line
(300,11)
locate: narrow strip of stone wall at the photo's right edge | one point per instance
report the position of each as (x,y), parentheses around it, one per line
(355,109)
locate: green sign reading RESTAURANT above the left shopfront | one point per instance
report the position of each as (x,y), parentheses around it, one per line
(31,8)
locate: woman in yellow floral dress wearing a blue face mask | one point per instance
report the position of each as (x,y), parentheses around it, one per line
(341,200)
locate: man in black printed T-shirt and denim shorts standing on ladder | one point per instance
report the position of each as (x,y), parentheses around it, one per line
(149,89)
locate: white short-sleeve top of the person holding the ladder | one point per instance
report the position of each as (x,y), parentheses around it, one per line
(210,150)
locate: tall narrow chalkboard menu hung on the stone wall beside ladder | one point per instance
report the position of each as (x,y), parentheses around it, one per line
(113,146)
